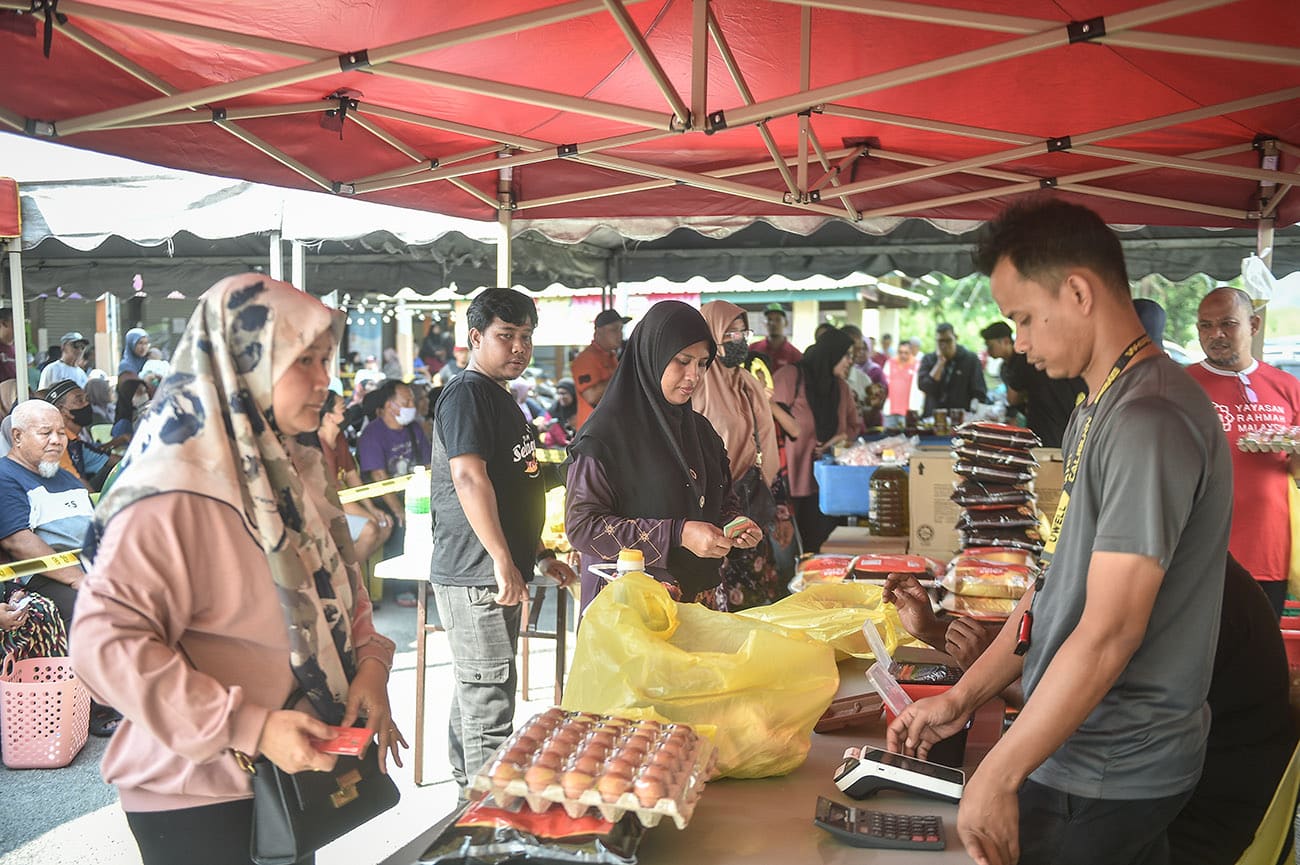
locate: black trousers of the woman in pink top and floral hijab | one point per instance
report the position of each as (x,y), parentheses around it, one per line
(203,836)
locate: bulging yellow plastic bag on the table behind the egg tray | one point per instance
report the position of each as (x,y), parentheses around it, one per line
(762,687)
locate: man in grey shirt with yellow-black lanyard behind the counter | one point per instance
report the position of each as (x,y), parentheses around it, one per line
(1117,645)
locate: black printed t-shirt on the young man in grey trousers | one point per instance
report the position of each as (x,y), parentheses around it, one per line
(476,416)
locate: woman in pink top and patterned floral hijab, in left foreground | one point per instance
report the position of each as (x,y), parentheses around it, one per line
(224,581)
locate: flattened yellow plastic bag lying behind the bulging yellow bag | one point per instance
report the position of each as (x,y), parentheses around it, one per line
(834,613)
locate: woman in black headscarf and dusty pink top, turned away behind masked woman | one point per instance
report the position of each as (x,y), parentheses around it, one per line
(822,404)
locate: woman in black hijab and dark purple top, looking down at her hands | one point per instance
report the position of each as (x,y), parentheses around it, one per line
(647,472)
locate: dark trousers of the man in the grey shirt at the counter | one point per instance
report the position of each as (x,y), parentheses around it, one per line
(1060,829)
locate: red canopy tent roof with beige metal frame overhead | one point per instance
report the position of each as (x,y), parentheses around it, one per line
(1185,113)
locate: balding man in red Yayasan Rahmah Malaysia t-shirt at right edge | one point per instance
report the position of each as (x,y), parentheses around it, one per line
(1251,396)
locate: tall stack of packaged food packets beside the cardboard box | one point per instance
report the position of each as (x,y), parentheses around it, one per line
(999,530)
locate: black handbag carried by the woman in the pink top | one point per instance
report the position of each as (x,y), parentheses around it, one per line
(297,814)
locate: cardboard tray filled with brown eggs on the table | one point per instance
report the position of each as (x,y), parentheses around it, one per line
(519,772)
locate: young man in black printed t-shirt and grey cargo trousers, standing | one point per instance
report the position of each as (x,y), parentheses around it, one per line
(489,504)
